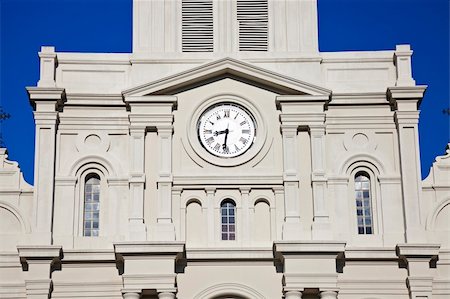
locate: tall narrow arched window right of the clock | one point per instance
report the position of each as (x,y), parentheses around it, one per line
(363,203)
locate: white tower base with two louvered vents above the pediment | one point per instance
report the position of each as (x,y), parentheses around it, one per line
(219,28)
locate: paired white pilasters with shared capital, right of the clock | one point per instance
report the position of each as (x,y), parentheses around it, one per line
(300,112)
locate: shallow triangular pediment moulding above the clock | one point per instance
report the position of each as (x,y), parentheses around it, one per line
(223,68)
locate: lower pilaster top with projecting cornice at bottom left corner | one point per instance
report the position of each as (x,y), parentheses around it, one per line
(38,261)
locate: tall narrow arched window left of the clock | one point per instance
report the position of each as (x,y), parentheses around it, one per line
(91,206)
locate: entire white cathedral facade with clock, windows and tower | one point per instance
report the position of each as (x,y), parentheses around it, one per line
(226,157)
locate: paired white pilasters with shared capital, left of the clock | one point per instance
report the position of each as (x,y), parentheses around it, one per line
(151,113)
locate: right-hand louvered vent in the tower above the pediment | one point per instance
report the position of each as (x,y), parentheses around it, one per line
(253,25)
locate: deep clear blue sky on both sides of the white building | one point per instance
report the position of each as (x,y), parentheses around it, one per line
(105,26)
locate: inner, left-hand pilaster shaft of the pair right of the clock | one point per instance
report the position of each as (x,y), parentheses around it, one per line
(292,229)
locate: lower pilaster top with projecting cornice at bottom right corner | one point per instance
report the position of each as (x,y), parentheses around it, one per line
(420,276)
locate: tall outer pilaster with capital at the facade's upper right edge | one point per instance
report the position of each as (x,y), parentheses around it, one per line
(406,100)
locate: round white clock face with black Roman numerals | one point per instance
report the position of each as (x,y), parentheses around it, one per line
(226,130)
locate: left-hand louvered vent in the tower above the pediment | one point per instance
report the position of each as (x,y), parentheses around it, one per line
(197,31)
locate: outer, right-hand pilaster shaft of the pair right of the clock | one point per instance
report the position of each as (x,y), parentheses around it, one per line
(321,229)
